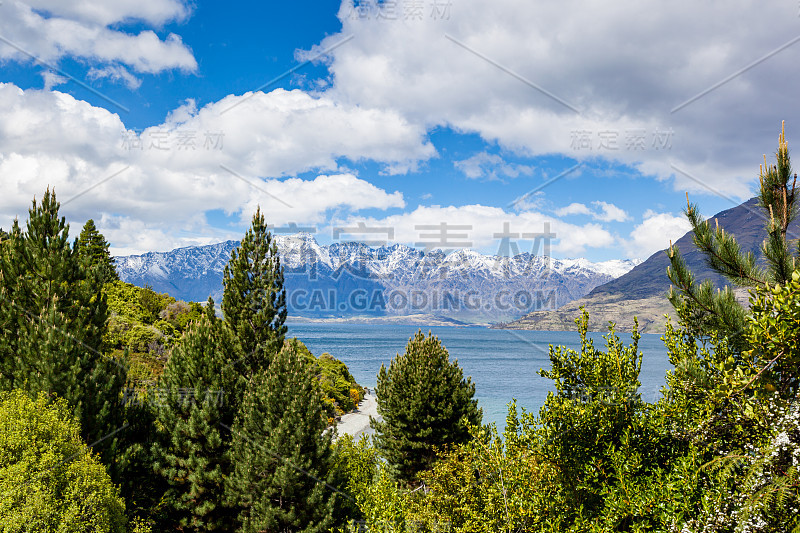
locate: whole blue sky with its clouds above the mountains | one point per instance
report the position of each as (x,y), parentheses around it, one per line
(156,118)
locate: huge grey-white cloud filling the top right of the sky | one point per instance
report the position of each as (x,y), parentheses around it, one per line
(567,78)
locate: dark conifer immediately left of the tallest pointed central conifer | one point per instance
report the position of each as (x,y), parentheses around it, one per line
(195,402)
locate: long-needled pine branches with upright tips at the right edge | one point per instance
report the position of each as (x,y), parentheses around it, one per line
(704,309)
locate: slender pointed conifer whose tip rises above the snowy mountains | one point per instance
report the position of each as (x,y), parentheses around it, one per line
(254,298)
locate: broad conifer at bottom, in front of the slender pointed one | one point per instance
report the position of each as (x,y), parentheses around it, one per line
(284,478)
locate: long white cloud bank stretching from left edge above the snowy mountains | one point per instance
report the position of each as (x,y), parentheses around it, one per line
(165,178)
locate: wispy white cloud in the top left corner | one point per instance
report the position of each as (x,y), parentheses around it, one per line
(51,29)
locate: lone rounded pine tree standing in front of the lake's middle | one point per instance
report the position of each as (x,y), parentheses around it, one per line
(425,403)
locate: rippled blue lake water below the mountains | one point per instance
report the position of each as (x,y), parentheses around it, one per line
(503,364)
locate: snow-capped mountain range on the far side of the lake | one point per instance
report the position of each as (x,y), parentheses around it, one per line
(351,279)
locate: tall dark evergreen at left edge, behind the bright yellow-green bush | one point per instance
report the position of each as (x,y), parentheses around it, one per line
(52,318)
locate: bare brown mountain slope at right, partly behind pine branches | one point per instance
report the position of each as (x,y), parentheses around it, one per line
(642,290)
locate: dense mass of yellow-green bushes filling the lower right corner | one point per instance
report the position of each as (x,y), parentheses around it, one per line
(719,452)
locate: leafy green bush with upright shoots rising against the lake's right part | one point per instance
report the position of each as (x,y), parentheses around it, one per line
(608,447)
